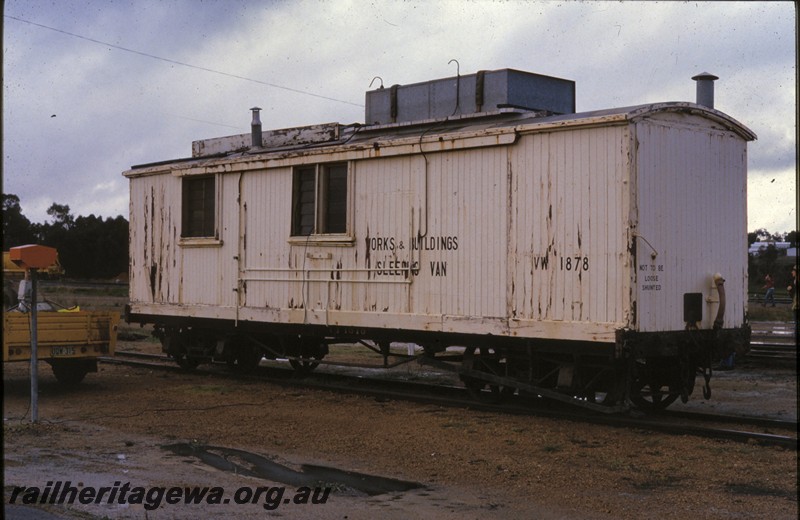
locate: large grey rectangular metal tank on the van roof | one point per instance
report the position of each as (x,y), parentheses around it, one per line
(485,91)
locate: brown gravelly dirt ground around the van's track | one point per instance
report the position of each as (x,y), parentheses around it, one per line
(112,430)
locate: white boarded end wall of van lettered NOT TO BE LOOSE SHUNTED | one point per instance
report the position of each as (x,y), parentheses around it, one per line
(691,210)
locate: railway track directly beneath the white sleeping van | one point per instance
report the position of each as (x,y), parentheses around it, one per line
(741,429)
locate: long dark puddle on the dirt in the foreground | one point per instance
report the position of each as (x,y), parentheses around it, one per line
(249,464)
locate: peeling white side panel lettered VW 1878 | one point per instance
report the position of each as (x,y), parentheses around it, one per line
(569,226)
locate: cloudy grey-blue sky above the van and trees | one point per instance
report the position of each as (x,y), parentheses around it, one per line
(92,87)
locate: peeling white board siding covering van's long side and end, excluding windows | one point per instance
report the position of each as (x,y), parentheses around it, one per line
(526,230)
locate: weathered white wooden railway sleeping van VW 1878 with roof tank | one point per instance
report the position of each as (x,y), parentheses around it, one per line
(597,258)
